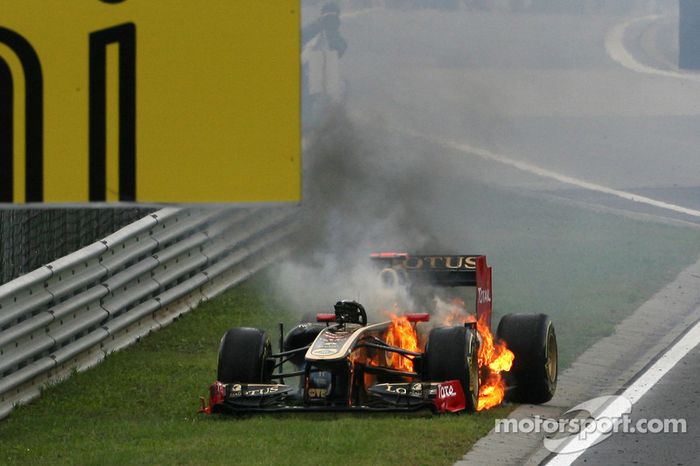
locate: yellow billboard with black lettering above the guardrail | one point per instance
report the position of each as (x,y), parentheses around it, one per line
(149,101)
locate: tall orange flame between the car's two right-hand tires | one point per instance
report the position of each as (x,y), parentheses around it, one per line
(494,356)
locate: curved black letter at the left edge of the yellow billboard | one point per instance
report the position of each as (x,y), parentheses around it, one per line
(34,120)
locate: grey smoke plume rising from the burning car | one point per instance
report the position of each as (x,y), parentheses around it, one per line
(363,192)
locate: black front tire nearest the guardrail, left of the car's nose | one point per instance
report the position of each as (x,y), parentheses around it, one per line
(243,356)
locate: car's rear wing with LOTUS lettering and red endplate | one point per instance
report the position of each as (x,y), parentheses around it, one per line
(444,271)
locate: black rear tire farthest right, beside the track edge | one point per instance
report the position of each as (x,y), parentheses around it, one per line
(532,339)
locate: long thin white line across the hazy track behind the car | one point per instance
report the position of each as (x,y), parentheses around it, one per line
(545,173)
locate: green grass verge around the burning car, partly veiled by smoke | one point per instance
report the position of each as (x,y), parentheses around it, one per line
(138,407)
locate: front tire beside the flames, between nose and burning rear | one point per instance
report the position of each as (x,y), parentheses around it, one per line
(452,354)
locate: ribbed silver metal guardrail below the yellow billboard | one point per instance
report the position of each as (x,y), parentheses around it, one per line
(69,314)
